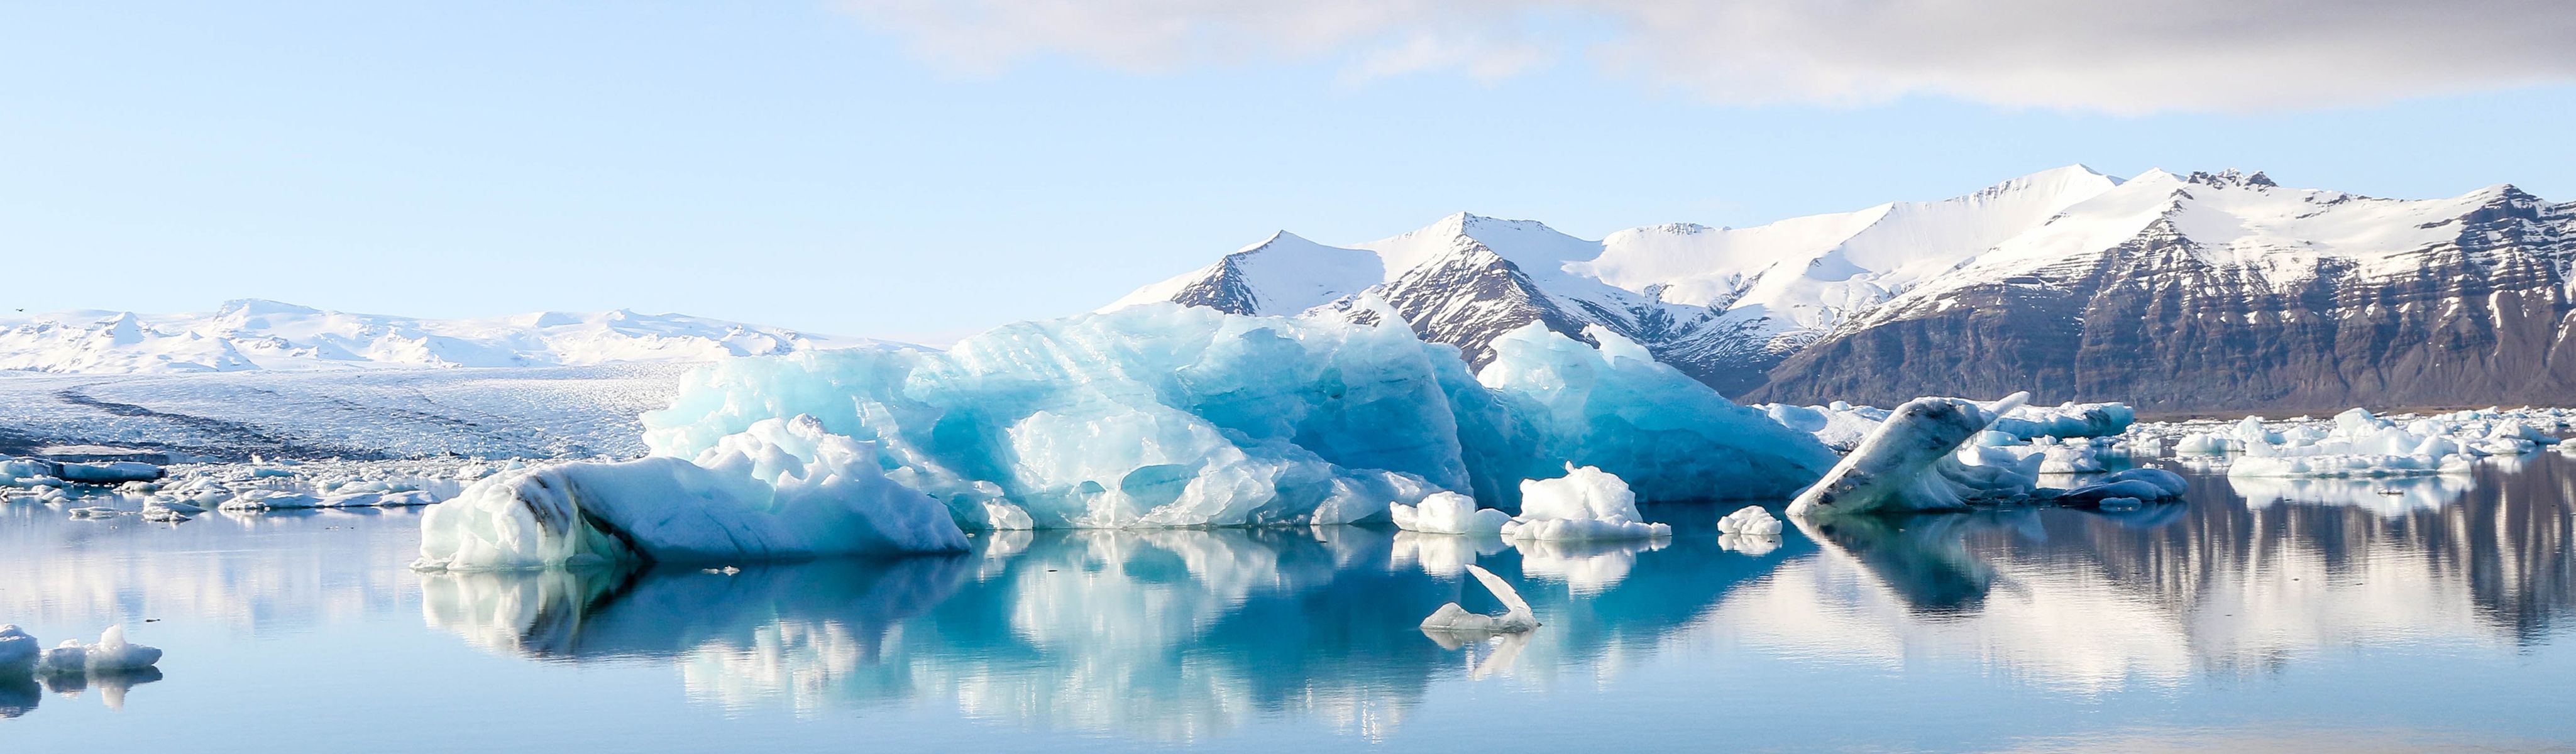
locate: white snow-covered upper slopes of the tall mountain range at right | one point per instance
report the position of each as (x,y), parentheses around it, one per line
(1730,305)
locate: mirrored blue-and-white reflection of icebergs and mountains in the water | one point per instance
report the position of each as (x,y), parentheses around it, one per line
(1184,634)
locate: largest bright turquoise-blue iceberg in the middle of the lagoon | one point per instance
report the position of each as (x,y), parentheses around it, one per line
(1168,418)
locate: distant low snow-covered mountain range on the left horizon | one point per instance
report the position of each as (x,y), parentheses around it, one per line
(269,336)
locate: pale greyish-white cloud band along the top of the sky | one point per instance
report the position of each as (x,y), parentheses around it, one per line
(2121,58)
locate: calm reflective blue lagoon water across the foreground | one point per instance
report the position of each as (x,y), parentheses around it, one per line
(2286,616)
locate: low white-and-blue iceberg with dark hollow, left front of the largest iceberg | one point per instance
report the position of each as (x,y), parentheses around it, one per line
(777,490)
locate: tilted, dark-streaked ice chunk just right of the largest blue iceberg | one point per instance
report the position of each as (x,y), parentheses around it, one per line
(1915,462)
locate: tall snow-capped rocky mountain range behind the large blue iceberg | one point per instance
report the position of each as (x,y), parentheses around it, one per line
(2181,292)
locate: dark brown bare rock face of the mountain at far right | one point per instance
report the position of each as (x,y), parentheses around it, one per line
(2157,323)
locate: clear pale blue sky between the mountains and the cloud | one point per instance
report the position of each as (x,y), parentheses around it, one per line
(854,169)
